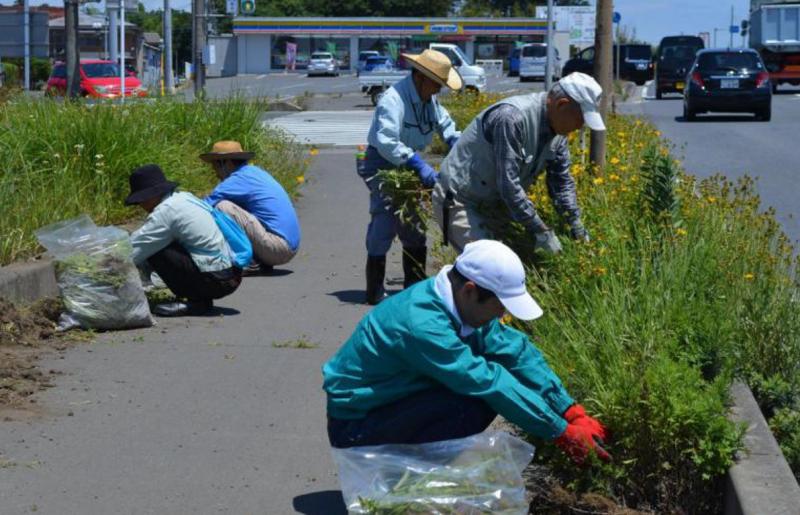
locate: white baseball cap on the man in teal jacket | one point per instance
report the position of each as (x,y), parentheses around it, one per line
(494,266)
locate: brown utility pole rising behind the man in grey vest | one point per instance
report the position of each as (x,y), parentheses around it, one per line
(602,73)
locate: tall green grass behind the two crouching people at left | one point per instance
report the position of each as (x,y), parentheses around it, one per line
(64,159)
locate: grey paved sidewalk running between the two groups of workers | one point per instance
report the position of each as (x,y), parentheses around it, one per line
(206,415)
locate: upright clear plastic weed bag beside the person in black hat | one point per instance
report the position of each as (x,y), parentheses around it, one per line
(99,284)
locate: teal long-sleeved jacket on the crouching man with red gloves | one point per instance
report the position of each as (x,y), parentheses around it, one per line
(412,341)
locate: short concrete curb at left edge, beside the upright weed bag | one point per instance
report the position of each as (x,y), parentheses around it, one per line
(27,282)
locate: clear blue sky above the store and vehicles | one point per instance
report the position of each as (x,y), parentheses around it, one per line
(652,19)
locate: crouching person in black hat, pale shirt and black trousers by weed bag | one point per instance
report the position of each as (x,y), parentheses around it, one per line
(182,243)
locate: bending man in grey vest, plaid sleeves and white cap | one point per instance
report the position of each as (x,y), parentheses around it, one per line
(504,150)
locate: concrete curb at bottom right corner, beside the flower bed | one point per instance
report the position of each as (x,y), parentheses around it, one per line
(761,482)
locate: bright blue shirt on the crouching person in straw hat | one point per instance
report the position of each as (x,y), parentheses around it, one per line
(258,193)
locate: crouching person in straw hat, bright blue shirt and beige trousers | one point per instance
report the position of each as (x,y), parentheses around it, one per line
(252,197)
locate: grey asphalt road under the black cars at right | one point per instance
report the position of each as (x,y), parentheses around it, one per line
(735,145)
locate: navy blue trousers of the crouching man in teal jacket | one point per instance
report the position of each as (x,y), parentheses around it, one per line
(428,416)
